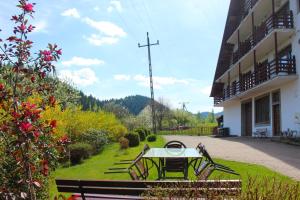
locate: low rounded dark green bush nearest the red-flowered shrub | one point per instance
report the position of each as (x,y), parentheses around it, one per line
(80,151)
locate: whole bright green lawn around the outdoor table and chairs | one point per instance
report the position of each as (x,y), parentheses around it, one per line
(94,167)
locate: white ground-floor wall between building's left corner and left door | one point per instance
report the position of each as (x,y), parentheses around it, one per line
(232,118)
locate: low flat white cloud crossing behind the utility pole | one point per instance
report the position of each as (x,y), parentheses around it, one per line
(159,81)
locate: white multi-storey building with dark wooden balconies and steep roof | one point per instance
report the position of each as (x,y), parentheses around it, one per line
(256,79)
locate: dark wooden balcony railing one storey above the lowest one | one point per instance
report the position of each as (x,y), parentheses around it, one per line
(283,21)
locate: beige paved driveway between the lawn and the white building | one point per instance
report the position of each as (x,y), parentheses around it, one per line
(280,157)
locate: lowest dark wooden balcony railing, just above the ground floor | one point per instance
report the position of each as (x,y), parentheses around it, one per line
(264,72)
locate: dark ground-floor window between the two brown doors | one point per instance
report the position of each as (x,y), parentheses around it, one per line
(262,110)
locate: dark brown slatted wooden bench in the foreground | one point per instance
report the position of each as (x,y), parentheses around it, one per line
(112,189)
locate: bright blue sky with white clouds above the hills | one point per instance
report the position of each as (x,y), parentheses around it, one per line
(99,39)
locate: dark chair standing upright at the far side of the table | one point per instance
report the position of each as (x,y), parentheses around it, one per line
(174,164)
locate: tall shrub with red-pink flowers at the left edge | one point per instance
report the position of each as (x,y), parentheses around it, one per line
(28,144)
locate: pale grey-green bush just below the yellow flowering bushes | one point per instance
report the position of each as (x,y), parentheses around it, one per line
(96,138)
